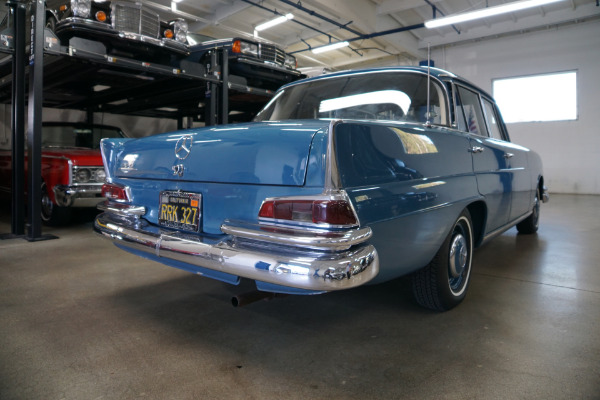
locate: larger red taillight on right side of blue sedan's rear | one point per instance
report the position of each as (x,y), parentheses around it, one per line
(316,211)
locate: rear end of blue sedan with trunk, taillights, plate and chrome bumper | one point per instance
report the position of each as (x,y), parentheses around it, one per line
(266,216)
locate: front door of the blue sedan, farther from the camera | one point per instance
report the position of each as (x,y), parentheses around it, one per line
(516,161)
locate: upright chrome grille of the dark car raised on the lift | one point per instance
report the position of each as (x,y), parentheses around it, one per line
(135,18)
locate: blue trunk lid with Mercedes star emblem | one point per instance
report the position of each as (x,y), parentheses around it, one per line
(266,153)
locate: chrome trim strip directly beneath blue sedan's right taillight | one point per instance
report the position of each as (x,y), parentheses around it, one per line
(323,240)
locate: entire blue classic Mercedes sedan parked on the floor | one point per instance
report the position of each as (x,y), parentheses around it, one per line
(348,179)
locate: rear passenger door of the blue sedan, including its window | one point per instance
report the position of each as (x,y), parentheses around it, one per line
(494,178)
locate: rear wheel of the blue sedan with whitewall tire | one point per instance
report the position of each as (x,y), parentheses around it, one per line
(443,283)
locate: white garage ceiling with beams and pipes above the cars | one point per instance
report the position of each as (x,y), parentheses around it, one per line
(317,22)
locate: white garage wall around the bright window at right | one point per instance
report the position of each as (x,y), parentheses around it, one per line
(569,150)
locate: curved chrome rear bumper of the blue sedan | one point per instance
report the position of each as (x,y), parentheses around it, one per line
(281,262)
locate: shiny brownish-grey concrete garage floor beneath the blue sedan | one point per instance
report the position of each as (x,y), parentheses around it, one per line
(80,319)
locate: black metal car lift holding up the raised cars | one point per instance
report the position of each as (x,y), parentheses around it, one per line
(156,90)
